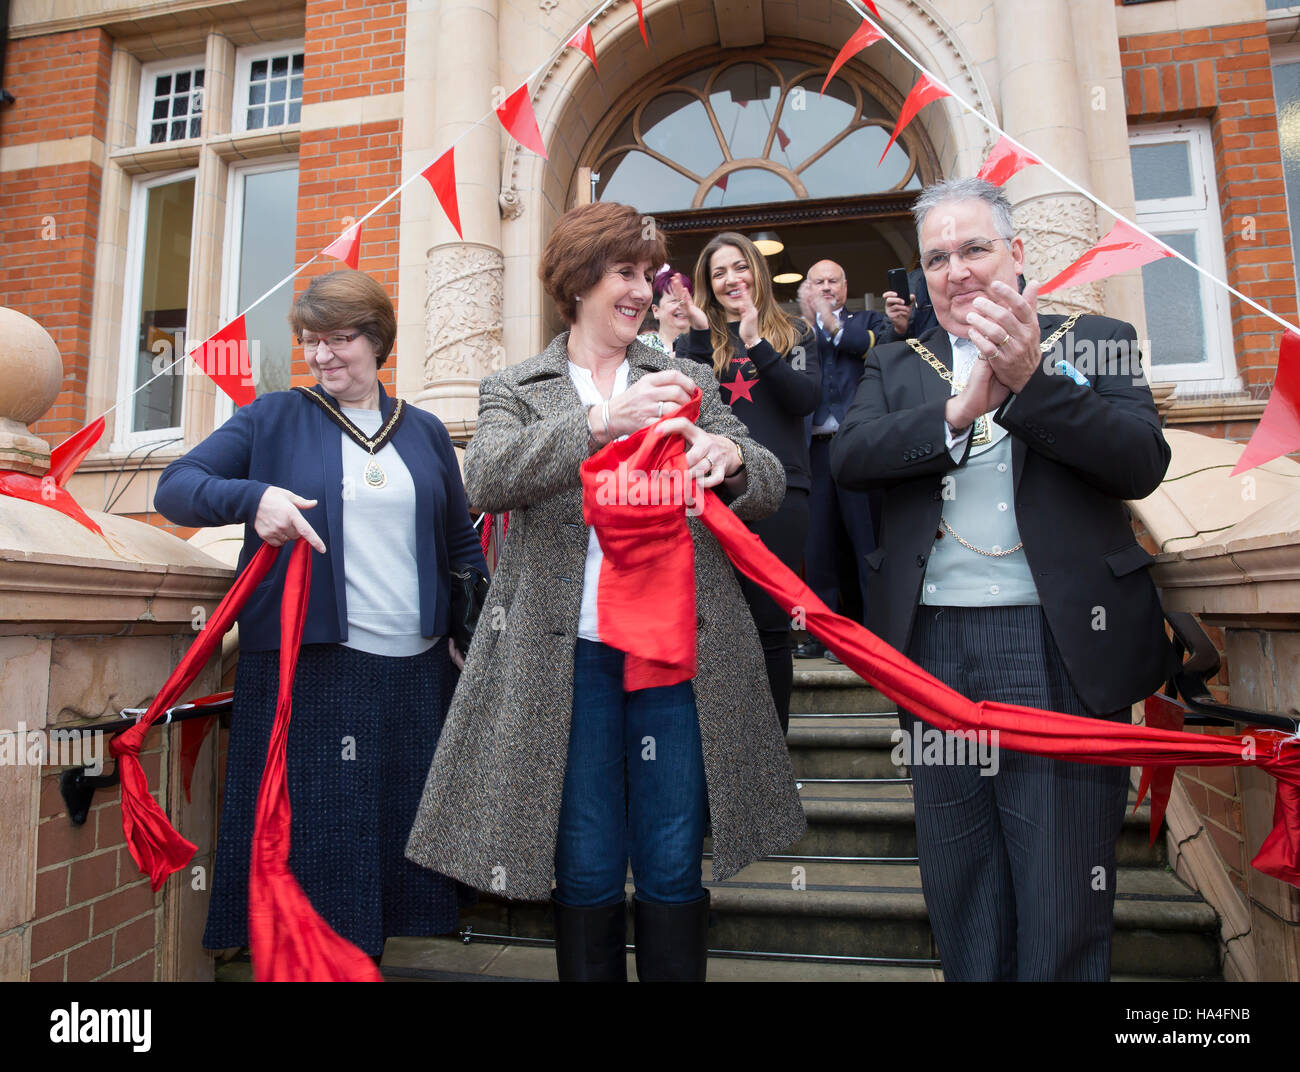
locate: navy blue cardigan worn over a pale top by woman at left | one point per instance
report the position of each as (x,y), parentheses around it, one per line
(288,441)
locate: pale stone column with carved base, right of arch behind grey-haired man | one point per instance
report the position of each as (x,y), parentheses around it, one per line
(1041,108)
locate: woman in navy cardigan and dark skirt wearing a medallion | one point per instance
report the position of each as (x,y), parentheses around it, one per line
(374,485)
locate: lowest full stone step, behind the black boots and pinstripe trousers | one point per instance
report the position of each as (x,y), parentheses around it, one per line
(877,912)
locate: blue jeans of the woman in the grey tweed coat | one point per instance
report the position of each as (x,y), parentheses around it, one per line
(634,785)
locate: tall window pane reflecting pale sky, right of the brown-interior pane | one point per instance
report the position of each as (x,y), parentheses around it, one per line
(266,257)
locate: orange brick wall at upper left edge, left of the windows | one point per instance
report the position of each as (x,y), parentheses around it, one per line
(50,216)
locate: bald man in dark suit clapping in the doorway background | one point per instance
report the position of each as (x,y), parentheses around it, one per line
(840,523)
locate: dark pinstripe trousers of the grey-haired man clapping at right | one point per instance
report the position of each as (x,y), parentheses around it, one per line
(1019,869)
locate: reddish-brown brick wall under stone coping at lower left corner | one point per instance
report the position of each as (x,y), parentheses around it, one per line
(97,917)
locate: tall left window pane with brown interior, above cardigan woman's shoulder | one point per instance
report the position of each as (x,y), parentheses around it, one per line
(163,313)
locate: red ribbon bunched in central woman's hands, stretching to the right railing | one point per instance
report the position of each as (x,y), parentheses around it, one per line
(638,619)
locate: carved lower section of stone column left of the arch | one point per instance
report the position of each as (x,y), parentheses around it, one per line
(463,318)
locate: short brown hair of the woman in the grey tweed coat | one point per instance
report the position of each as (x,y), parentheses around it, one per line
(587,241)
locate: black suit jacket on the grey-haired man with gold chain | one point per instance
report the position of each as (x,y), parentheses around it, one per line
(1078,454)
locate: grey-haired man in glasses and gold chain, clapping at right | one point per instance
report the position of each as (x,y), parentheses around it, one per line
(1007,445)
